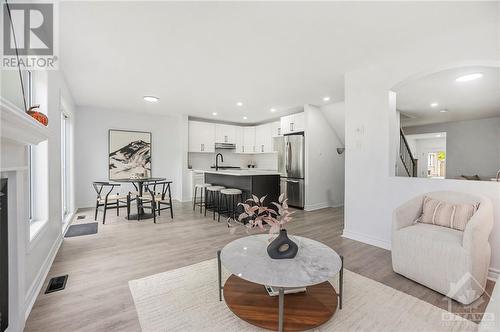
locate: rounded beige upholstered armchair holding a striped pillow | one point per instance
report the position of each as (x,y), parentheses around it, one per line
(449,261)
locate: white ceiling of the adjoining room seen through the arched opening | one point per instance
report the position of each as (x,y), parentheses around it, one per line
(476,99)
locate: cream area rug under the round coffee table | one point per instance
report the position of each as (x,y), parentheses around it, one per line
(186,299)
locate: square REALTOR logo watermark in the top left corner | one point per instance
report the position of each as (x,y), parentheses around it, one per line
(30,35)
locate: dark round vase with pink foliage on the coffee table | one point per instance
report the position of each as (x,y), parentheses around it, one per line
(276,217)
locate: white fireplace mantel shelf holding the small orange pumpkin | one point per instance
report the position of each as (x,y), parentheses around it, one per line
(19,127)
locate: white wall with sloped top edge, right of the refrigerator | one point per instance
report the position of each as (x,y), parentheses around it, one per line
(324,166)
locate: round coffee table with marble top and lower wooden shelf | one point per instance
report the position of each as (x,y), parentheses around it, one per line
(251,267)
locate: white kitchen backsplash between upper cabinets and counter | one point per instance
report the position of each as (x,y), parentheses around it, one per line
(205,160)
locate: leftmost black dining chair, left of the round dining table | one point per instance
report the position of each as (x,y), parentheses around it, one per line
(108,200)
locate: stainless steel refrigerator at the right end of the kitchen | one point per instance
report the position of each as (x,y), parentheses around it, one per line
(291,162)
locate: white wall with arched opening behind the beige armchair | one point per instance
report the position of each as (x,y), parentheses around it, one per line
(372,193)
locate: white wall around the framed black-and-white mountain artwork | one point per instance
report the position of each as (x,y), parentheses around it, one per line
(91,148)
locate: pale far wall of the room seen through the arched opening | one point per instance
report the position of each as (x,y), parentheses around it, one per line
(472,147)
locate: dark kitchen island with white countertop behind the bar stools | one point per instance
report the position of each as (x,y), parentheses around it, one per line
(257,182)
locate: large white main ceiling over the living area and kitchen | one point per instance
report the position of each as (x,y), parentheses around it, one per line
(203,57)
